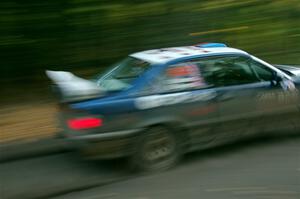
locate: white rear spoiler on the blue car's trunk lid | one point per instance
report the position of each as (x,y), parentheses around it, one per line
(71,88)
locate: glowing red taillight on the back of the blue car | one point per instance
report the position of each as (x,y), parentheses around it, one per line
(84,123)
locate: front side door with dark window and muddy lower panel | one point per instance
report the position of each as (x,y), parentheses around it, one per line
(236,85)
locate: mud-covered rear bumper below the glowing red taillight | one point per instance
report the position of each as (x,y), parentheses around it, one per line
(105,145)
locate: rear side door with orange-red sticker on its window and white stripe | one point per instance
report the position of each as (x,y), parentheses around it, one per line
(181,94)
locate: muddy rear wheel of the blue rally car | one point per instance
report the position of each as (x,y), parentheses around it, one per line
(157,149)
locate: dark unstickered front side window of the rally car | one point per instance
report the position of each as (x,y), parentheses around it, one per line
(226,71)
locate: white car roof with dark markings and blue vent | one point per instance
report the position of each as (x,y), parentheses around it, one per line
(164,55)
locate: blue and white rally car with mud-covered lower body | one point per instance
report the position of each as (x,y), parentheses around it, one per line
(156,105)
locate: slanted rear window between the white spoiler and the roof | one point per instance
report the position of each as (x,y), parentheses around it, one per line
(122,75)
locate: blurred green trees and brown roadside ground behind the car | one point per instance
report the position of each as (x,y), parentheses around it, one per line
(86,36)
